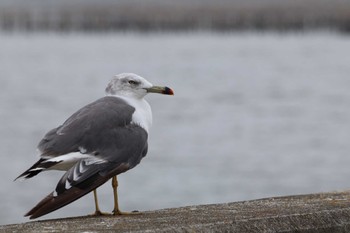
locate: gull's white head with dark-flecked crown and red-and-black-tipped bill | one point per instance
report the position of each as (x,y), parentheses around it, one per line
(133,85)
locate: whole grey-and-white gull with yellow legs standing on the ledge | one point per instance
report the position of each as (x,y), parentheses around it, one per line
(98,142)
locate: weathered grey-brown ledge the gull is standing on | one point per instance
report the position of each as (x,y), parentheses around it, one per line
(324,212)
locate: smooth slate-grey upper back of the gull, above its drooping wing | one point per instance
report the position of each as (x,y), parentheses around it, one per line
(81,129)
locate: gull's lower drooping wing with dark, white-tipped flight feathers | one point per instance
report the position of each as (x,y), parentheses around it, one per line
(89,173)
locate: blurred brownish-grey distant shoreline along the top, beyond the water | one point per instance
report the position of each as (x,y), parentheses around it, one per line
(153,16)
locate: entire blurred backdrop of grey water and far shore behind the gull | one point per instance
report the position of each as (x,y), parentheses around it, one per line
(261,105)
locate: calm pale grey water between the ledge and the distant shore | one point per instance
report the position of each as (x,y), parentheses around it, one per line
(254,115)
